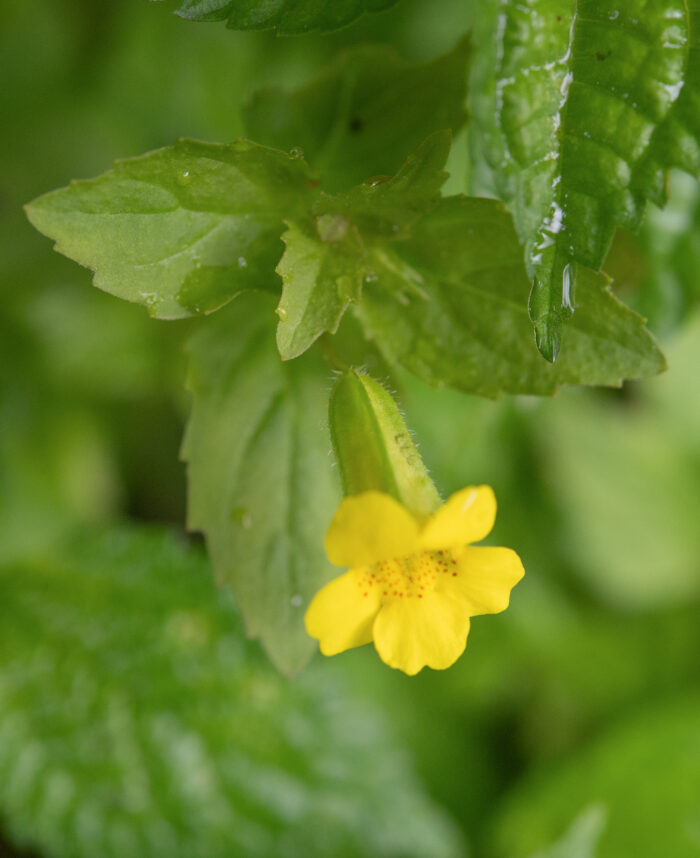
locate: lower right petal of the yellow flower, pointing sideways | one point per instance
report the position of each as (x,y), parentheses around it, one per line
(485,577)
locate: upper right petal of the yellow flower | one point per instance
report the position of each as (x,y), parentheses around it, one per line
(466,517)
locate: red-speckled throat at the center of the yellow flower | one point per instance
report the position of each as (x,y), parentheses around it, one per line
(406,577)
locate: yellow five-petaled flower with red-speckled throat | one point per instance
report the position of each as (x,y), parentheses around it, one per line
(413,584)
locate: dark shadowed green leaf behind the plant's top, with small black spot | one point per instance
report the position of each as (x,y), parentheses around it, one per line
(366,114)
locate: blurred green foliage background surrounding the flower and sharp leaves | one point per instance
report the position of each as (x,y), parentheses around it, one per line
(135,720)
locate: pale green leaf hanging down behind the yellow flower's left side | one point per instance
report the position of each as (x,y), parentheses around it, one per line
(261,487)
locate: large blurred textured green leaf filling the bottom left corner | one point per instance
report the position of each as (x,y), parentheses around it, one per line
(136,720)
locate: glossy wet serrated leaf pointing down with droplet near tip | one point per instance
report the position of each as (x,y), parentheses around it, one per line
(579,100)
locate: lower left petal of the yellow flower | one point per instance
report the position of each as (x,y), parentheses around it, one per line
(341,614)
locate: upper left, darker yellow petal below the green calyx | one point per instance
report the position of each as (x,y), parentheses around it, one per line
(370,527)
